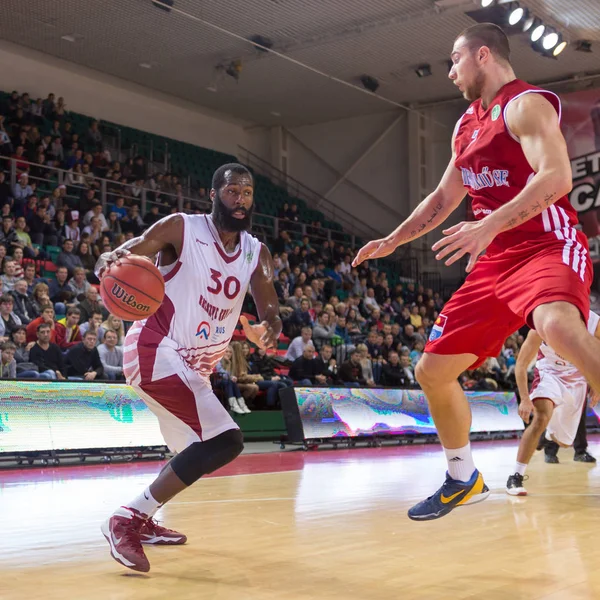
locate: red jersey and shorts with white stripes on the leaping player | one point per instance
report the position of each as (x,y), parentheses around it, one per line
(543,260)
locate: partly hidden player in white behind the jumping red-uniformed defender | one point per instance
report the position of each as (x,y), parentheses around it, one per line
(558,394)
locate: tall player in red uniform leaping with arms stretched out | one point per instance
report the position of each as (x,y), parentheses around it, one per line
(509,154)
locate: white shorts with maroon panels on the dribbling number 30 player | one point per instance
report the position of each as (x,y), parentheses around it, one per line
(182,399)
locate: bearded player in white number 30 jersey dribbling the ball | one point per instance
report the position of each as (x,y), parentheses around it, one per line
(208,263)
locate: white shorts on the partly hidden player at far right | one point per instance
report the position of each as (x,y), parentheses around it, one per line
(568,399)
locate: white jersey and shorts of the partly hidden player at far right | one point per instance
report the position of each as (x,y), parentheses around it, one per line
(560,381)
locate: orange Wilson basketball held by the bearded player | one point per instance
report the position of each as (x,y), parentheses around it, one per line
(132,290)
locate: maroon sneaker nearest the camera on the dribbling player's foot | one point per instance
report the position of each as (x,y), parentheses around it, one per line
(122,532)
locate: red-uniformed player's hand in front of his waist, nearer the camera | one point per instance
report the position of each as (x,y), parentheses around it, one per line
(470,238)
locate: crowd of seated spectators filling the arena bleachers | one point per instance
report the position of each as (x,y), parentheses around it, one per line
(342,325)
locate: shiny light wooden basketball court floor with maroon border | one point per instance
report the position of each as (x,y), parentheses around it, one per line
(316,525)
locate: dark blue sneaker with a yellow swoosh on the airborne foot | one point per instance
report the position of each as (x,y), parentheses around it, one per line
(452,494)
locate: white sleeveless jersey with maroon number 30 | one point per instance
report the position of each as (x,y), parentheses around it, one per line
(204,293)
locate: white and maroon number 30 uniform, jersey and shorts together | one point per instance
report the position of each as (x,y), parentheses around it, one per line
(168,358)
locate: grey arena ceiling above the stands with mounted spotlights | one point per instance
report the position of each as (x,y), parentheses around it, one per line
(387,39)
